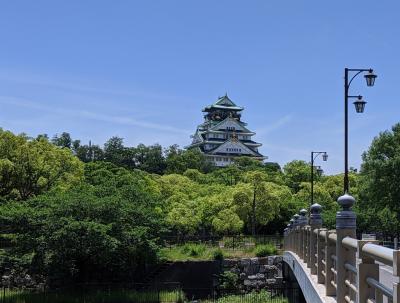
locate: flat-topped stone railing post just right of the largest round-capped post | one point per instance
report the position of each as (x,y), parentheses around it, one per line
(366,268)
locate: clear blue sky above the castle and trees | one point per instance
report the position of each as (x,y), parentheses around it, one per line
(143,70)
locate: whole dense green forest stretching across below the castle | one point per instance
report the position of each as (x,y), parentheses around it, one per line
(71,211)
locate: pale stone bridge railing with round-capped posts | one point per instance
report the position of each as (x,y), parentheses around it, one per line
(348,268)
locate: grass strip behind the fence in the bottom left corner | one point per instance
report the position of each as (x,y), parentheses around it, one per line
(96,296)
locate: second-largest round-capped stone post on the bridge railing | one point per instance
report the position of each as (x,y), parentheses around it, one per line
(315,223)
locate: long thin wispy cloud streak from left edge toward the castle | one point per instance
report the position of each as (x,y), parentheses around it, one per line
(91,115)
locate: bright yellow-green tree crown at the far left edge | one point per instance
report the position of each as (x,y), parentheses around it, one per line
(31,167)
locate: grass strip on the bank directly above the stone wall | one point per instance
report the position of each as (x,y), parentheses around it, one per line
(194,251)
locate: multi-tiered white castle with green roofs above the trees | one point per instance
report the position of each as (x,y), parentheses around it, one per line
(223,136)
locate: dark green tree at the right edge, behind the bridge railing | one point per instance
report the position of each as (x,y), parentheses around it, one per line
(380,183)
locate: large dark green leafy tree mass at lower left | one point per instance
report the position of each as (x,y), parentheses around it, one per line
(106,225)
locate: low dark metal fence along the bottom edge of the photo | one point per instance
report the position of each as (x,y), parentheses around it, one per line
(274,295)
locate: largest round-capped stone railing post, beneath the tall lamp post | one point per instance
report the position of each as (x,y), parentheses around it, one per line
(345,227)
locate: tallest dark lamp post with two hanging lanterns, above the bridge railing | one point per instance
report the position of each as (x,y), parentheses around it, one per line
(359,105)
